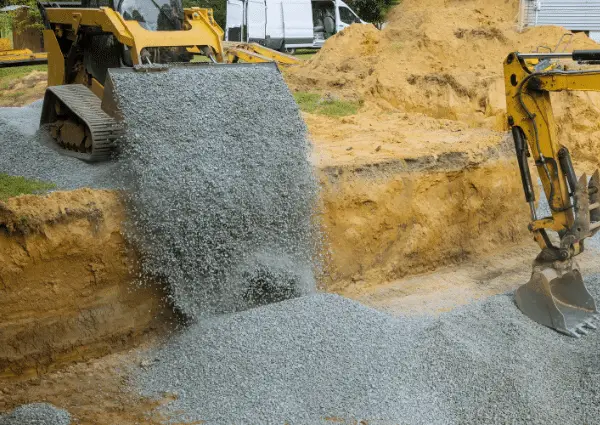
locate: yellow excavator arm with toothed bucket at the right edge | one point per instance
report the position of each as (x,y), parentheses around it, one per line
(556,295)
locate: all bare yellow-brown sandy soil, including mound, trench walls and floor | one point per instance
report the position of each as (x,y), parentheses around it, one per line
(420,201)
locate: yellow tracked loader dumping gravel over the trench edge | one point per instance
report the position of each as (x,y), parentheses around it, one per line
(84,41)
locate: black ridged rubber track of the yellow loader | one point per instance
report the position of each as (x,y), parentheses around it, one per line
(86,106)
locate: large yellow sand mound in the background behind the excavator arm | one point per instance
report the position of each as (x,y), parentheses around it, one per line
(444,65)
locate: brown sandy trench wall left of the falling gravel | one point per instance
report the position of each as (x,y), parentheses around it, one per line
(66,282)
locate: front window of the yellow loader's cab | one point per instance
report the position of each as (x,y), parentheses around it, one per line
(153,15)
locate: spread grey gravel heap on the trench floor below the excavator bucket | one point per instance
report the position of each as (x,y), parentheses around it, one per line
(322,356)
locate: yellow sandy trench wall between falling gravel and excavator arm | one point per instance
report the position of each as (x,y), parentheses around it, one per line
(384,223)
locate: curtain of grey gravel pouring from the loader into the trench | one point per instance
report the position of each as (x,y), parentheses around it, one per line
(220,188)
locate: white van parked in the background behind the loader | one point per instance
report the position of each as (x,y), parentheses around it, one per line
(287,24)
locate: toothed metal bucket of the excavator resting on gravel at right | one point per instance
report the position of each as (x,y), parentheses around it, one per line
(559,300)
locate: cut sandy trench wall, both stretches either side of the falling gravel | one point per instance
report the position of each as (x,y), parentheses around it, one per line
(68,276)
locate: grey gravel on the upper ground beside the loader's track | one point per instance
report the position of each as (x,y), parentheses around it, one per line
(23,154)
